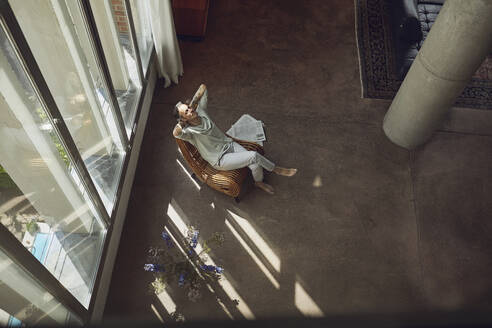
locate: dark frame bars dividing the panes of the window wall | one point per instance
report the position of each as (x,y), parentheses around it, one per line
(8,243)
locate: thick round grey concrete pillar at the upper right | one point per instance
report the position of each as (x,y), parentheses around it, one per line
(457,44)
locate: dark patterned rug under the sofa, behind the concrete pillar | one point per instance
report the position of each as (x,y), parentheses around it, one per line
(377,60)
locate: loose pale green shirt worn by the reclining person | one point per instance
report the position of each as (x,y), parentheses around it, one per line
(210,141)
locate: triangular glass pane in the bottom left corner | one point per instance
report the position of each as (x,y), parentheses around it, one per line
(25,301)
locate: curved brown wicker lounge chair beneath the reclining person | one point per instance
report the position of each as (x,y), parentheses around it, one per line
(228,182)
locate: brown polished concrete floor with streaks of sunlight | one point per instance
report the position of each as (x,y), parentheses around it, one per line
(364,227)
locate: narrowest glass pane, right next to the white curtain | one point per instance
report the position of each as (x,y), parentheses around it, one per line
(143,31)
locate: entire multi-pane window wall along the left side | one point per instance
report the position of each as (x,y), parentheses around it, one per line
(71,76)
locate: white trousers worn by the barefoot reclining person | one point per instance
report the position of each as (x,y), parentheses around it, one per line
(241,157)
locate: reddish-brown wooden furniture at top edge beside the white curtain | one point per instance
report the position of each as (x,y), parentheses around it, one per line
(190,17)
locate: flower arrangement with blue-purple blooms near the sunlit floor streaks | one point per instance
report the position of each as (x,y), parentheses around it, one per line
(169,264)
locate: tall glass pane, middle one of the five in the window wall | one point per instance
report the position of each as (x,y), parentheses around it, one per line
(56,34)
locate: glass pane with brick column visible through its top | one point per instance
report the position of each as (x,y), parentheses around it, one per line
(114,32)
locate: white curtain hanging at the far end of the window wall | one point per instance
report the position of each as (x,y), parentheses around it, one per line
(165,41)
